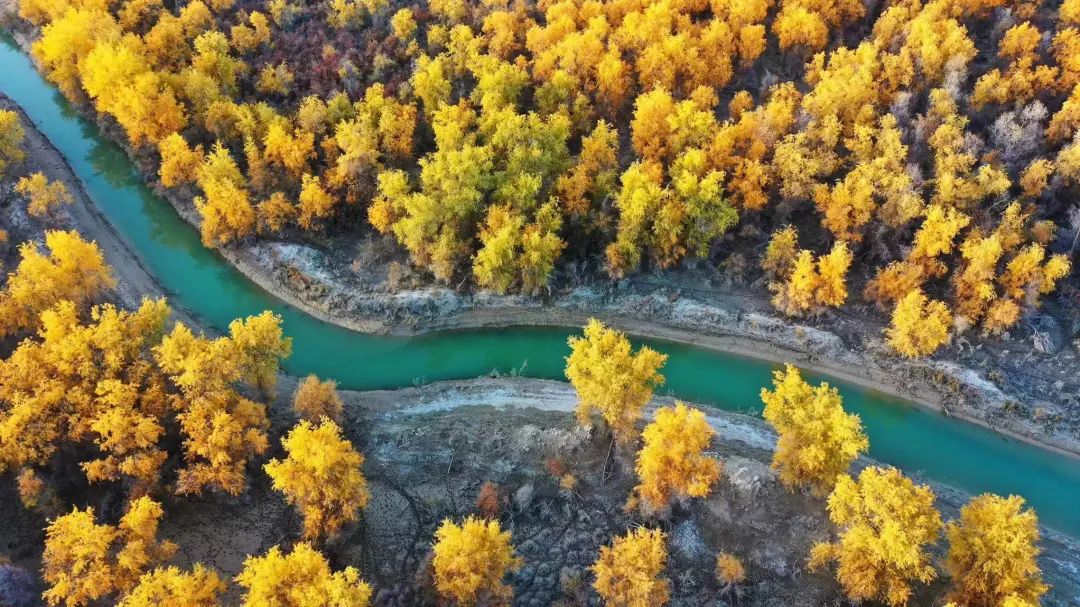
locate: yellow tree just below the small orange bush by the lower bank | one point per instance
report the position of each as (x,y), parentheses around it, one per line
(321,477)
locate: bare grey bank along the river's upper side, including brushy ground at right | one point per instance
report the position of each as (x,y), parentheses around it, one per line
(1025,395)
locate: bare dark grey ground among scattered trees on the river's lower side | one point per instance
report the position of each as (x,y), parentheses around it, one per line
(429,450)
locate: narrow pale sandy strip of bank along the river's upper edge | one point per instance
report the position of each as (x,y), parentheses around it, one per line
(726,323)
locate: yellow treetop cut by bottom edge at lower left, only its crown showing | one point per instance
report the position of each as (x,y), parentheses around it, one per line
(171,587)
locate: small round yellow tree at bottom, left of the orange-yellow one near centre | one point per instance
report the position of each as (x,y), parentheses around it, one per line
(471,560)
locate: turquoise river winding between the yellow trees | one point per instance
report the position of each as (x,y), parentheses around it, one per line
(914,439)
